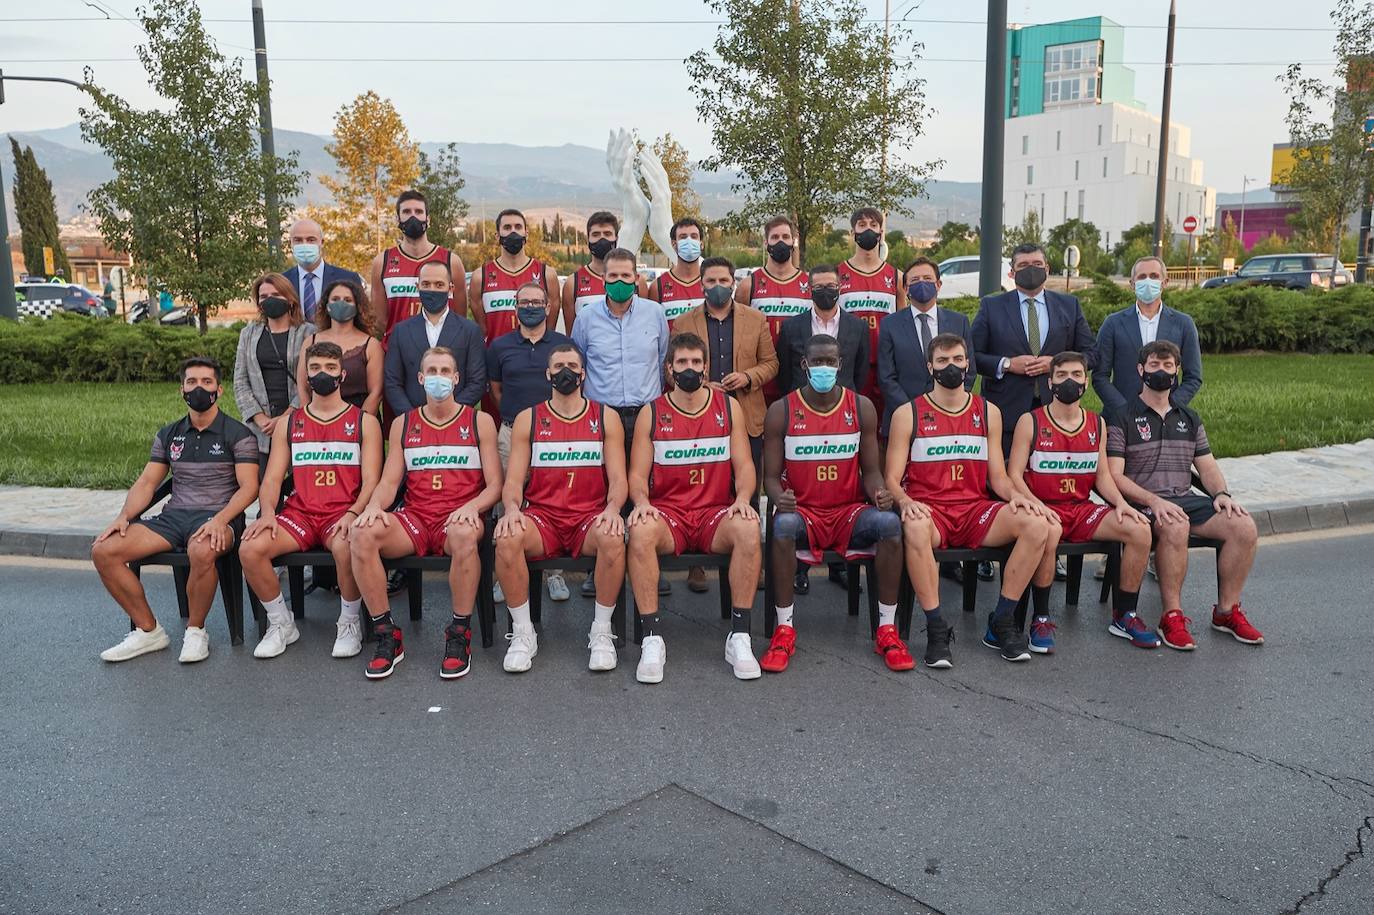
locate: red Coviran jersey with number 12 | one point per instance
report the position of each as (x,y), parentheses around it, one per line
(949,461)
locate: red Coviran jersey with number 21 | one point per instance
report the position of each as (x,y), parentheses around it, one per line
(692,455)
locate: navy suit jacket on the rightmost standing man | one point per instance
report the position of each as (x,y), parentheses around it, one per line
(1116,379)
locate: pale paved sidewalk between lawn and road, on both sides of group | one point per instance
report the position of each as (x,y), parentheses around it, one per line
(1287,493)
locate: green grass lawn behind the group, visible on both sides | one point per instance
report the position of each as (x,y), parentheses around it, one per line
(98,436)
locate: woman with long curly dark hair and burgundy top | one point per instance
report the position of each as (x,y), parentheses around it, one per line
(346,318)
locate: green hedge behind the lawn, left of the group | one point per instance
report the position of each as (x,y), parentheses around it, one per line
(75,348)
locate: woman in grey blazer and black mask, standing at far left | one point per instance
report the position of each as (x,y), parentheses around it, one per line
(270,348)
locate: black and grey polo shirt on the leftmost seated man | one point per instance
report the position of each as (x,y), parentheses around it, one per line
(204,462)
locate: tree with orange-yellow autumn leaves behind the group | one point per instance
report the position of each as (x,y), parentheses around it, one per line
(377,160)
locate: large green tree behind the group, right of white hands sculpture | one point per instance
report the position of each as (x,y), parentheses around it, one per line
(842,102)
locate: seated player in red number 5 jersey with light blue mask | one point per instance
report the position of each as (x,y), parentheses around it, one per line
(446,454)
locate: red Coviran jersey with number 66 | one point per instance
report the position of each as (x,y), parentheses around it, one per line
(821,453)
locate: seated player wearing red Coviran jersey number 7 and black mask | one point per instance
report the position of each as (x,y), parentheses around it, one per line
(565,487)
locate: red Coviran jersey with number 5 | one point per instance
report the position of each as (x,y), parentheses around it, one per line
(443,462)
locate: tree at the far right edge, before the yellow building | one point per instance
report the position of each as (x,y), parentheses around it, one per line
(1333,166)
